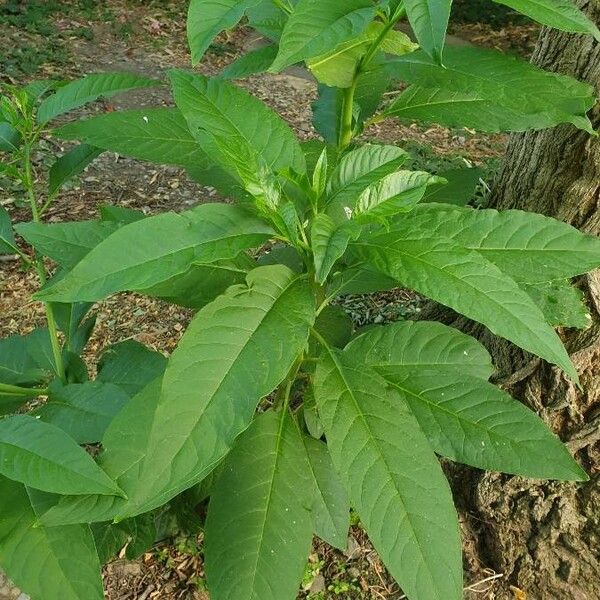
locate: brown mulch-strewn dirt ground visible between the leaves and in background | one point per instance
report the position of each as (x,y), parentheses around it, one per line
(149,38)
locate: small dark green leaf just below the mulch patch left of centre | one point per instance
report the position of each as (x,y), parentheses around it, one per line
(131,366)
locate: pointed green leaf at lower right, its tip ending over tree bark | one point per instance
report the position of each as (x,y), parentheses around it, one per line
(473,422)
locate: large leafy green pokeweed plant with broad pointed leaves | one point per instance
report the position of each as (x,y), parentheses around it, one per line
(272,405)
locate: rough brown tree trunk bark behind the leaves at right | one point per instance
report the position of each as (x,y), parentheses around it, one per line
(545,537)
